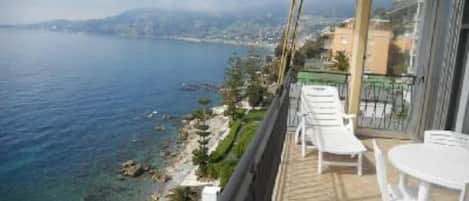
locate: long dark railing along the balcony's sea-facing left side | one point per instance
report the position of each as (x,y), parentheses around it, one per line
(254,177)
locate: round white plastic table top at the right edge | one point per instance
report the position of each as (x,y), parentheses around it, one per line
(436,164)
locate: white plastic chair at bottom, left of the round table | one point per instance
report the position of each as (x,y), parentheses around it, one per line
(390,192)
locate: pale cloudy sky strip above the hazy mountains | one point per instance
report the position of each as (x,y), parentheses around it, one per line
(32,11)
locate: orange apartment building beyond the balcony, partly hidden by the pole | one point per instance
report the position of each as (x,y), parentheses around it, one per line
(380,37)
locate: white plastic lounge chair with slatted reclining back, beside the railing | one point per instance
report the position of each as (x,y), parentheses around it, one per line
(322,124)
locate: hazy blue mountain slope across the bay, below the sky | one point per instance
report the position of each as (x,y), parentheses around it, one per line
(262,24)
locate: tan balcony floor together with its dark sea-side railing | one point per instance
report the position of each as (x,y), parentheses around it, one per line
(272,168)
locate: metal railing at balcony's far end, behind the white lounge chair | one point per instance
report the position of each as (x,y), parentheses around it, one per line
(385,100)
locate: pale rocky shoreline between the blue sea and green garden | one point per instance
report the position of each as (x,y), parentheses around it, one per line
(178,168)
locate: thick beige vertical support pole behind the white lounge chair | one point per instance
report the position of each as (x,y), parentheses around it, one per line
(360,34)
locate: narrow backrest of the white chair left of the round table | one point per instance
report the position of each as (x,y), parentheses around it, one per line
(381,172)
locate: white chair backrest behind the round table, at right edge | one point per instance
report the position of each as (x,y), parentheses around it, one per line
(446,138)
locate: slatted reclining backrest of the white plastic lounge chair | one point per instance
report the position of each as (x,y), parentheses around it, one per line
(322,106)
